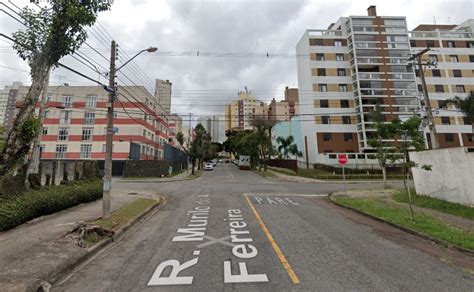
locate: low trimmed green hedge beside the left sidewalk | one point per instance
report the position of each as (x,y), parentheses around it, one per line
(25,206)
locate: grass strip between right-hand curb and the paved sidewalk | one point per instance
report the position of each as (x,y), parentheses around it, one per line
(400,216)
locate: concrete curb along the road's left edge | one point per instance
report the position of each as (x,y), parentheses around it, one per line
(71,266)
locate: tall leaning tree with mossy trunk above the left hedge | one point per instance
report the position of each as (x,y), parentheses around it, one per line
(52,32)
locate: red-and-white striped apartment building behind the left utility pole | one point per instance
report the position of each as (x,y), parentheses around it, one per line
(74,125)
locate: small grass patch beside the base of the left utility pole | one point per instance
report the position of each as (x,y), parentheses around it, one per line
(125,214)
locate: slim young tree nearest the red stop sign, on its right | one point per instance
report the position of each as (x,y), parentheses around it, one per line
(383,132)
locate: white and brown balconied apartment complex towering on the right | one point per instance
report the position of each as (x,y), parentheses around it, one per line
(359,62)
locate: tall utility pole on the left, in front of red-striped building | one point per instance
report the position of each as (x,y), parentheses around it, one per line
(110,134)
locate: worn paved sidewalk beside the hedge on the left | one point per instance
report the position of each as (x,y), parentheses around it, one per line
(37,249)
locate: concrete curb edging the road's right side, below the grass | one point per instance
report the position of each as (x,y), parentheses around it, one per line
(409,230)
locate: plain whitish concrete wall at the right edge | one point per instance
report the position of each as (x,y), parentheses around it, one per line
(452,175)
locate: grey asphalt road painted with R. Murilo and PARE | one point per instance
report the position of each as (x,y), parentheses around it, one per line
(234,230)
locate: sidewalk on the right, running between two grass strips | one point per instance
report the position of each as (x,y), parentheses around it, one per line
(386,195)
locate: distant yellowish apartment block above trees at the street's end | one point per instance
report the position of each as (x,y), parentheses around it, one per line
(240,114)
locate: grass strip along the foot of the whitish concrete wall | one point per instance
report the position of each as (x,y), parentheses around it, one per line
(436,204)
